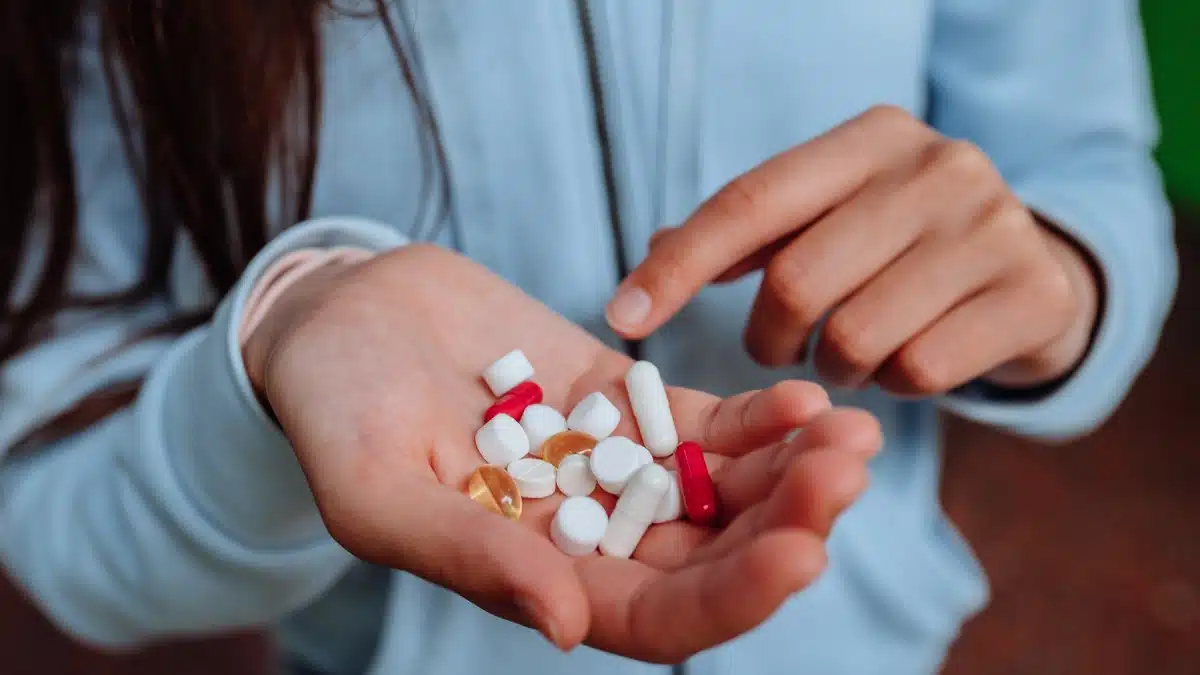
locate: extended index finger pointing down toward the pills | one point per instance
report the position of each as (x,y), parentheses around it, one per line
(773,200)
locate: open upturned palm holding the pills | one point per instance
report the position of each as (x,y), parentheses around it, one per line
(374,373)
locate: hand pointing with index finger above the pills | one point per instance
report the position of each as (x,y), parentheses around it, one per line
(931,271)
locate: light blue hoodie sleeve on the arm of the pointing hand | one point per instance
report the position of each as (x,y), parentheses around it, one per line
(1058,95)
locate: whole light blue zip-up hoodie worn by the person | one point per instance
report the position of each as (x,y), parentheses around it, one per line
(187,513)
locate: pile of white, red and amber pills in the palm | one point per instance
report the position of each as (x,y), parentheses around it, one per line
(533,451)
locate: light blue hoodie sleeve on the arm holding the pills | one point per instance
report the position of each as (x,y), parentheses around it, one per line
(187,512)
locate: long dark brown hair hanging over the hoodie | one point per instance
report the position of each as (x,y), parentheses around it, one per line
(215,100)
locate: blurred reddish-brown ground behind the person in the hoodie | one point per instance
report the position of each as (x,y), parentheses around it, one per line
(1094,549)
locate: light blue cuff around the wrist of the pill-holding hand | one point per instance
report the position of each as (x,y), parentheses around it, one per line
(231,458)
